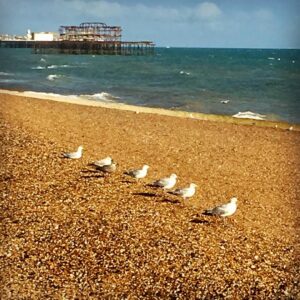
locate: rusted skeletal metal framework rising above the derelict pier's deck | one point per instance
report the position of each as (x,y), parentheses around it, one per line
(91,31)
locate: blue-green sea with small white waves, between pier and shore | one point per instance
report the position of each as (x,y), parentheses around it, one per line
(252,83)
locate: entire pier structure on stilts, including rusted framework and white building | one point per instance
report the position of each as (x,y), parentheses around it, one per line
(87,38)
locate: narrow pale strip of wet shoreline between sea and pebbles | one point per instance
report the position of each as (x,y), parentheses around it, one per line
(77,99)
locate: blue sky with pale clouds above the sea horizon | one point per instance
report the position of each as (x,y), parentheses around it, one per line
(175,23)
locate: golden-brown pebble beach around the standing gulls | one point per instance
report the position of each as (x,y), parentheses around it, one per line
(69,232)
